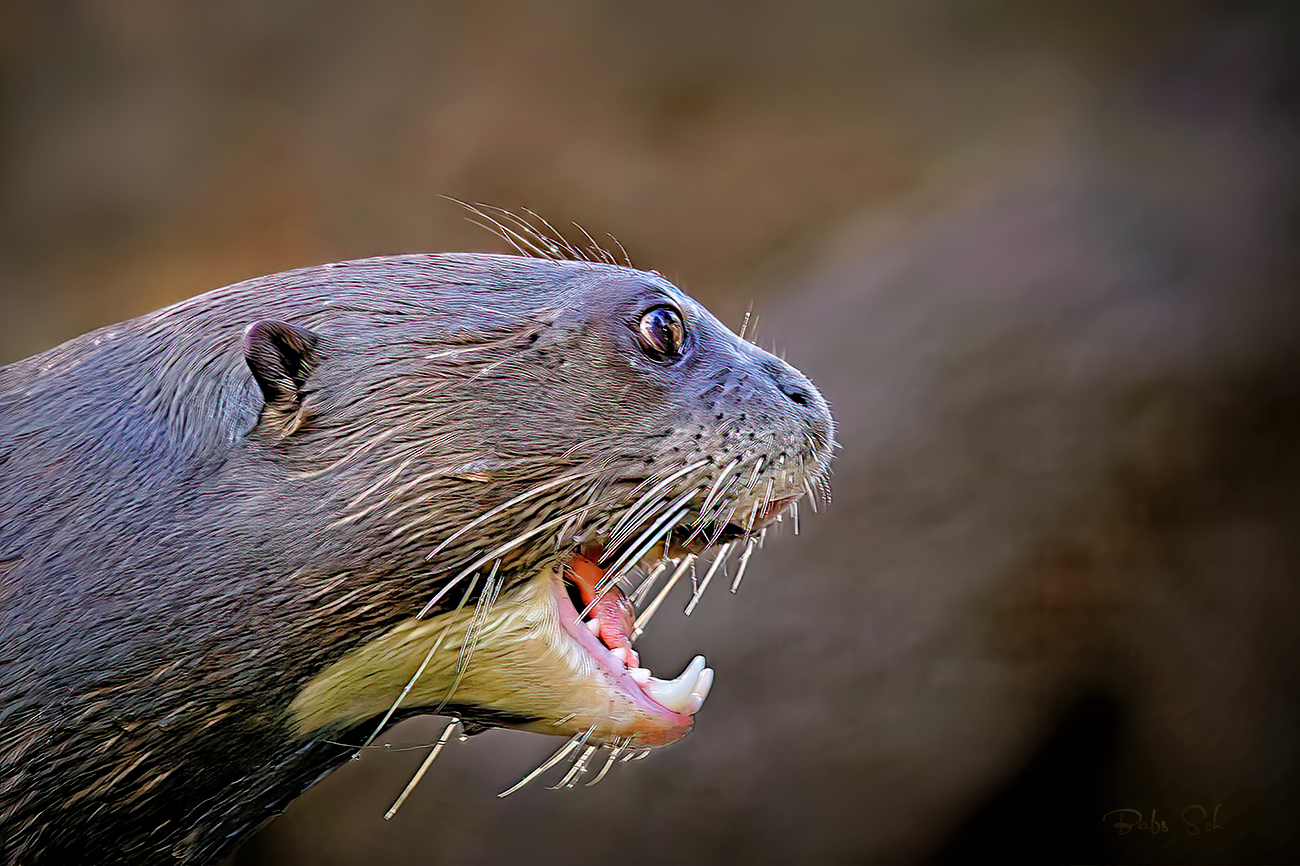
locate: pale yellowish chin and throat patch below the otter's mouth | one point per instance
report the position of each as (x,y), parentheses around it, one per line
(523,663)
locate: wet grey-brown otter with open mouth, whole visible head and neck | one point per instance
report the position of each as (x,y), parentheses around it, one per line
(245,534)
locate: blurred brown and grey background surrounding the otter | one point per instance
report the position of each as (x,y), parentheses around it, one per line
(1041,258)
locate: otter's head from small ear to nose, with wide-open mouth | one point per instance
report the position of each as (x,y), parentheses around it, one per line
(527,444)
